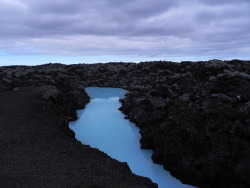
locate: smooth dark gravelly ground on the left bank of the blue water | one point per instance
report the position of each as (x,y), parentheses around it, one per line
(36,152)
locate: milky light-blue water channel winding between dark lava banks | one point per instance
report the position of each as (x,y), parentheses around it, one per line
(101,125)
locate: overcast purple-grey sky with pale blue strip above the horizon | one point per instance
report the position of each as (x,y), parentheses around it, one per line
(92,31)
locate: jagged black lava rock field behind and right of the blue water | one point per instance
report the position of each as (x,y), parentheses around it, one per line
(193,115)
